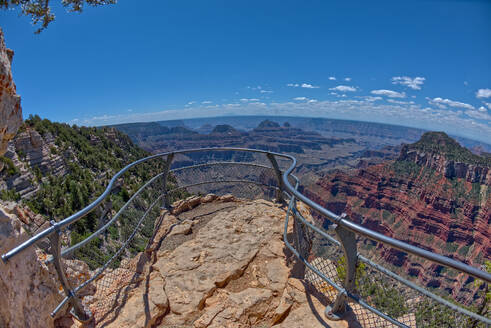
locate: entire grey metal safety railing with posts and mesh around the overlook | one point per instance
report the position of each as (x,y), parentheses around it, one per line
(338,275)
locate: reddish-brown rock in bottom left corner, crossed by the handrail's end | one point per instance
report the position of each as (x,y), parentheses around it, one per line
(29,289)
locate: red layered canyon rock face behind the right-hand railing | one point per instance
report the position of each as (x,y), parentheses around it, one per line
(423,198)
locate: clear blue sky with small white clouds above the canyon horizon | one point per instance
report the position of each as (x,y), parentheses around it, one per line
(416,63)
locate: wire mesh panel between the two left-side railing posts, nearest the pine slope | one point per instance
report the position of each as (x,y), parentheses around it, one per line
(114,257)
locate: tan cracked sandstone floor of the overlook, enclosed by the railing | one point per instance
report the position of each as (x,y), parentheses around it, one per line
(212,280)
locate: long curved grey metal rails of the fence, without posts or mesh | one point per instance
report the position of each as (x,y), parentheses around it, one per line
(285,187)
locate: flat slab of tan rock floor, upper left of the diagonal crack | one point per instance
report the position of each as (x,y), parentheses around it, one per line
(220,252)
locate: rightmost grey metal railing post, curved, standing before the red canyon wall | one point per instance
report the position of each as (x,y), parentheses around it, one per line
(348,242)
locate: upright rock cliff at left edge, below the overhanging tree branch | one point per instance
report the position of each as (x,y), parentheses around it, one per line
(10,110)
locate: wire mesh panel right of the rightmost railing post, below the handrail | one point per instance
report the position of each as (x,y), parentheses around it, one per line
(411,305)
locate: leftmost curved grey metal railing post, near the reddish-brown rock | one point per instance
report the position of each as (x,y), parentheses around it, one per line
(78,310)
